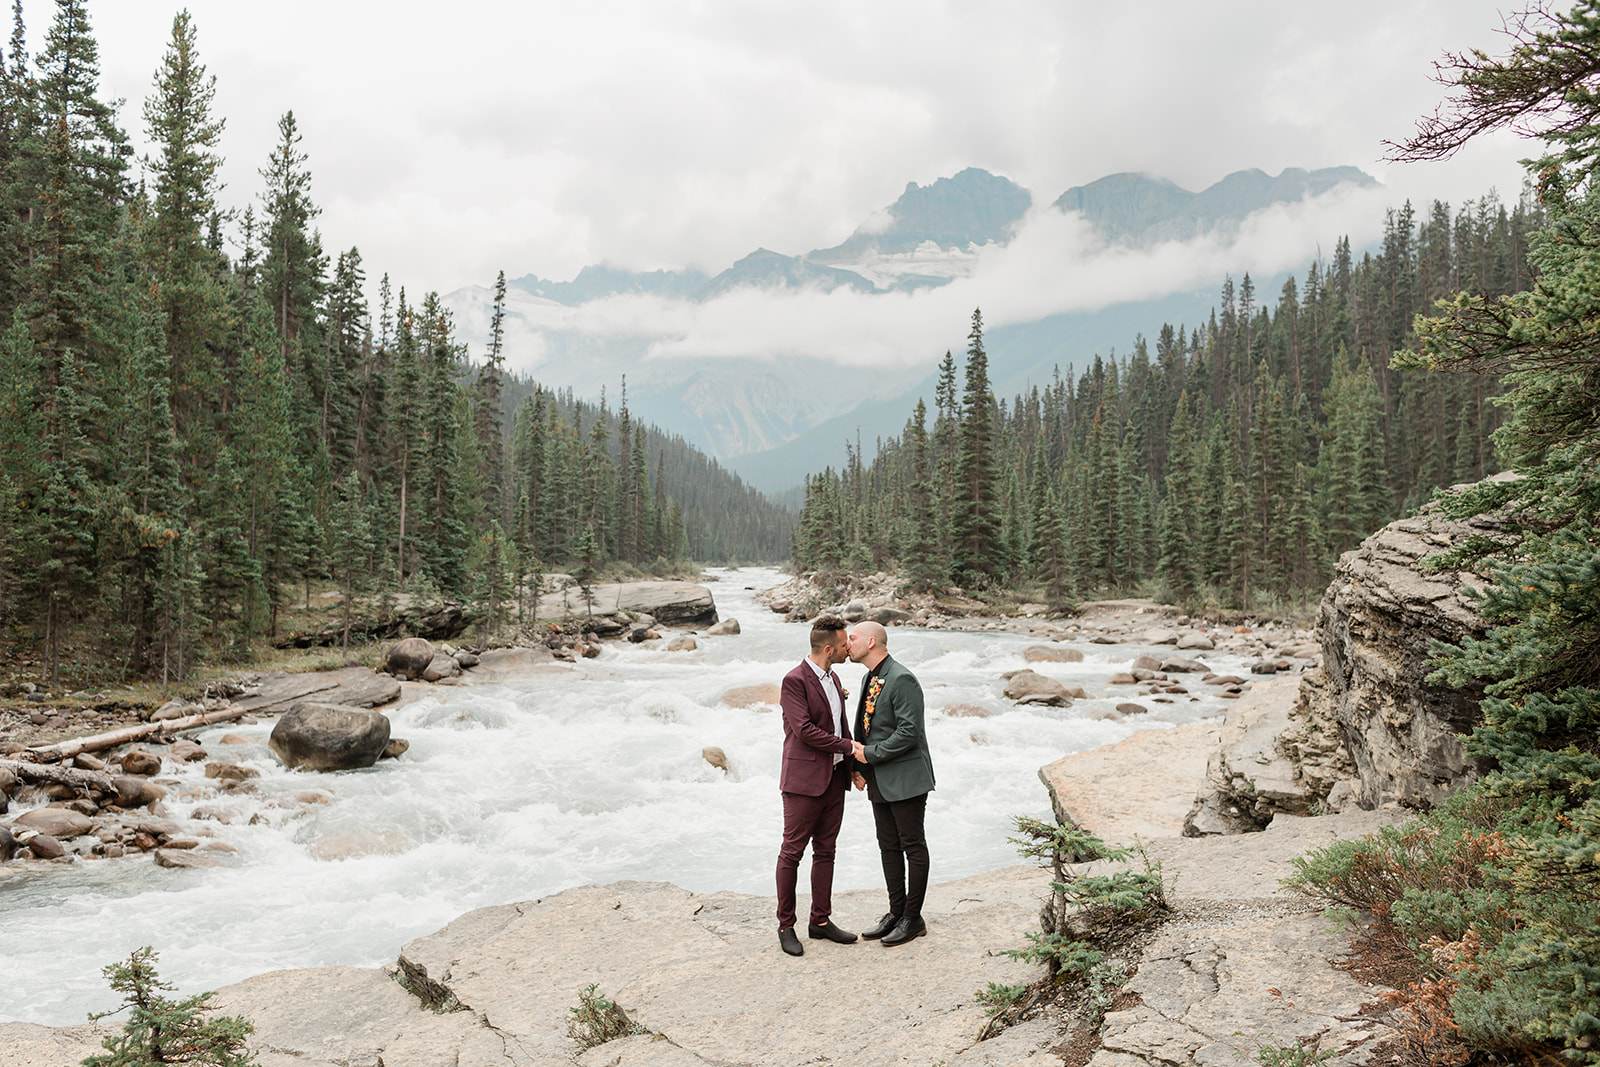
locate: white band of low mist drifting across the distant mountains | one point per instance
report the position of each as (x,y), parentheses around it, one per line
(1055,265)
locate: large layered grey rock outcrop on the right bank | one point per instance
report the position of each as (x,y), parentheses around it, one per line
(1366,727)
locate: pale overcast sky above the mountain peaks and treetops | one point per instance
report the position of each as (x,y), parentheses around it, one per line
(450,142)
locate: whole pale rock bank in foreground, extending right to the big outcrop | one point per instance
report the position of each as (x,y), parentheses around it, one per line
(1241,965)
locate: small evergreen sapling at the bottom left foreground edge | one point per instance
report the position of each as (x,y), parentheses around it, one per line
(162,1031)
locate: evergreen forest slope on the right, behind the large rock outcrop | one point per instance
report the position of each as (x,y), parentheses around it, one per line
(1228,466)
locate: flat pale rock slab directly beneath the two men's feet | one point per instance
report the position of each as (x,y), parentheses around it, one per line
(702,973)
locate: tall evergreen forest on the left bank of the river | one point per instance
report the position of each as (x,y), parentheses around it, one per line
(191,434)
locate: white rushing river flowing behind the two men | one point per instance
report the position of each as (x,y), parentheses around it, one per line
(519,791)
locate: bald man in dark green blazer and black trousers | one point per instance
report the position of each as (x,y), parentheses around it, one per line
(897,770)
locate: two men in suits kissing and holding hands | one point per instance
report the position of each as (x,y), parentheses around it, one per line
(884,753)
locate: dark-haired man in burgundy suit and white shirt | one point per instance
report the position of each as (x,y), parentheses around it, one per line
(815,778)
